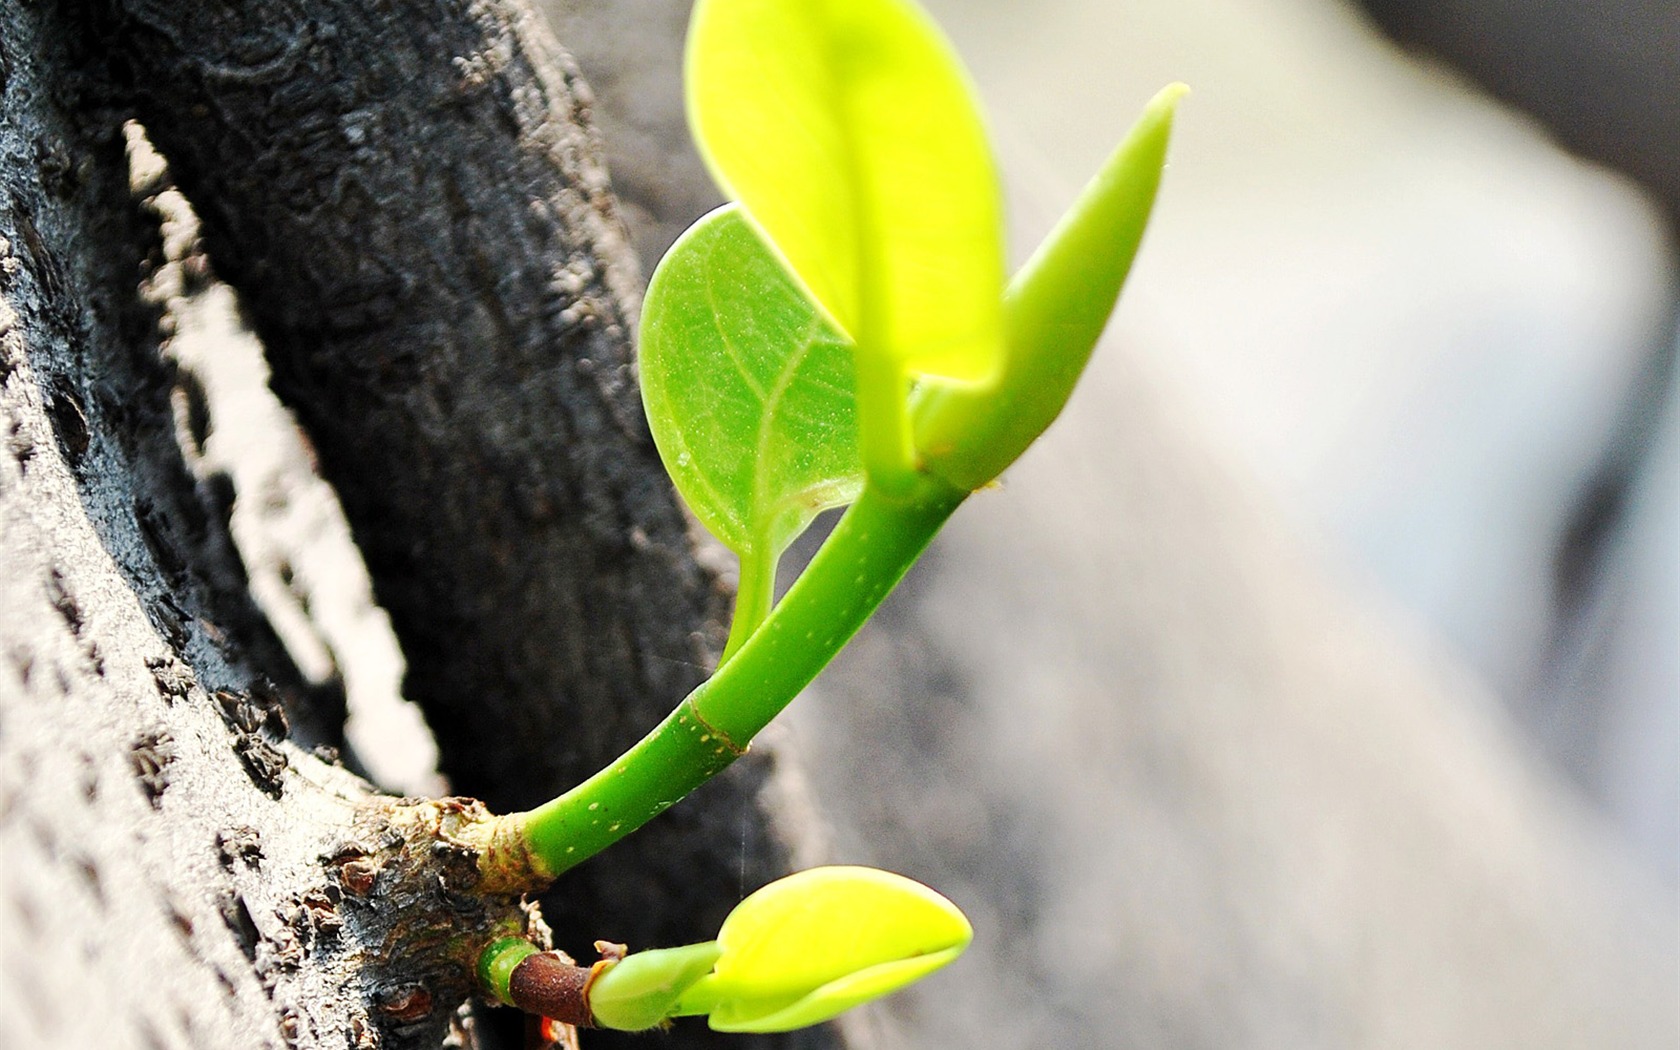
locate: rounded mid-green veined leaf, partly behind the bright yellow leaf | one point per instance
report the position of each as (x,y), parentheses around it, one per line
(748,389)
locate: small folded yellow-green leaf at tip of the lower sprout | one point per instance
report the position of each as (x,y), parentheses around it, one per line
(817,943)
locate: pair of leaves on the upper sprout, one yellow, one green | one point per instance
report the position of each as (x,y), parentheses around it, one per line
(780,333)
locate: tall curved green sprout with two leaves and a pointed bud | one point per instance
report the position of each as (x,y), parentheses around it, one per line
(839,335)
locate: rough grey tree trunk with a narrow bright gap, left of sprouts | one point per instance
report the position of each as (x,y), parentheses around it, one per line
(411,207)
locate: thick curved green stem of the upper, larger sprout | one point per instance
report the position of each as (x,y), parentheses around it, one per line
(869,552)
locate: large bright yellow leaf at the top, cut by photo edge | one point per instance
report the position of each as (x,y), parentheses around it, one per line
(849,132)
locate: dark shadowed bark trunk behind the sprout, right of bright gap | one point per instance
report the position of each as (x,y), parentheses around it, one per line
(411,207)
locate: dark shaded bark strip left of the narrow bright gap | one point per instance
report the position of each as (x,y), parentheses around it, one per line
(93,243)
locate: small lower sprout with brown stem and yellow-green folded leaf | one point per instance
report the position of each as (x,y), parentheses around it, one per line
(795,953)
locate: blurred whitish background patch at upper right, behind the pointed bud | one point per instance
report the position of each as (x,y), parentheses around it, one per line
(1410,320)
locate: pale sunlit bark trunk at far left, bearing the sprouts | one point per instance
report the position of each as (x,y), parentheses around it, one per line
(176,864)
